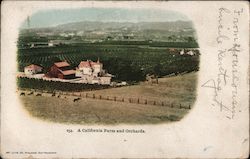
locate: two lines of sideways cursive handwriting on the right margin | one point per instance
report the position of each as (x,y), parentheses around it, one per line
(227,79)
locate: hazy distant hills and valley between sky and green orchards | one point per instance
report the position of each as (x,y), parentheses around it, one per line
(86,30)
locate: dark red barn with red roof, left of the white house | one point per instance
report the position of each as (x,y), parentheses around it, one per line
(61,70)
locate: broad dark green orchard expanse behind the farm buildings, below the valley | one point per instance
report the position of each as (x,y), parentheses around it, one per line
(127,60)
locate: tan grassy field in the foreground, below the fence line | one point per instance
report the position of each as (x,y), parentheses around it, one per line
(88,111)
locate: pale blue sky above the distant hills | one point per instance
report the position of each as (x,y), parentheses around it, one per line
(47,18)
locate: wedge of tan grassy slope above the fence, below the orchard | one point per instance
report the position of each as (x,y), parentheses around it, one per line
(177,89)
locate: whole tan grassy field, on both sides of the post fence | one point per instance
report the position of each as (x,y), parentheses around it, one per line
(179,89)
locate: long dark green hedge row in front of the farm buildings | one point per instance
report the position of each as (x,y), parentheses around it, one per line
(52,86)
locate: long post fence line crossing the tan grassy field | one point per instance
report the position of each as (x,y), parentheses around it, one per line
(132,100)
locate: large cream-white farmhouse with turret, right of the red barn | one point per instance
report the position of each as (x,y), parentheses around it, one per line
(93,72)
